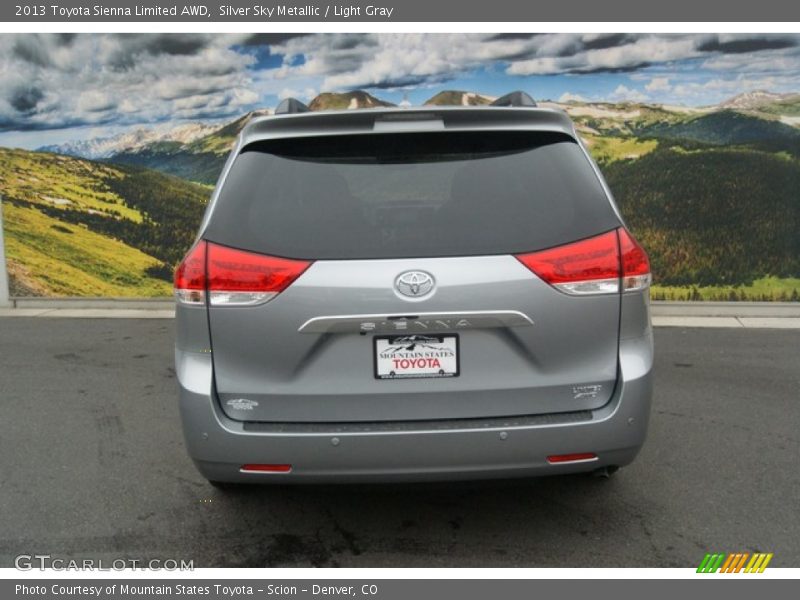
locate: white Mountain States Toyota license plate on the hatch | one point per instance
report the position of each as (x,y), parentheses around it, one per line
(409,356)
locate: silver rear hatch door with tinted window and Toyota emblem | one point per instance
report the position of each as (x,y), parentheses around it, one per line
(373,213)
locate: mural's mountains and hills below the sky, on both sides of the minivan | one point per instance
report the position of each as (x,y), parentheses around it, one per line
(711,192)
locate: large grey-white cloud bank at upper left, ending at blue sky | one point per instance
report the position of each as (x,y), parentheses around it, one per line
(55,81)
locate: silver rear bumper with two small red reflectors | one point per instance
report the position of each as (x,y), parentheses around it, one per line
(475,449)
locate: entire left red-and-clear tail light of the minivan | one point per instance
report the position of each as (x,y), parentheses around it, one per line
(233,277)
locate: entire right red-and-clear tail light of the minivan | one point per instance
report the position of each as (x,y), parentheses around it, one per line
(593,266)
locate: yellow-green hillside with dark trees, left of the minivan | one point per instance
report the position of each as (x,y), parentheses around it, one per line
(75,227)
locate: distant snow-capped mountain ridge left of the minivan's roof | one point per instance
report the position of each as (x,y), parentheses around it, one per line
(133,140)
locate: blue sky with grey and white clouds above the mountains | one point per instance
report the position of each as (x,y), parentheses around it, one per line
(55,88)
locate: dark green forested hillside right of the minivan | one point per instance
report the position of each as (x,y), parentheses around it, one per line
(712,216)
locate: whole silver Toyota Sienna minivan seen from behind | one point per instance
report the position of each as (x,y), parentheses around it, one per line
(411,294)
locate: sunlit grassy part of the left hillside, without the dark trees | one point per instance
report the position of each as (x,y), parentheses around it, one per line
(50,251)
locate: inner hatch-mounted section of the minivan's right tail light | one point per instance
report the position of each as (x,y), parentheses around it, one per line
(590,266)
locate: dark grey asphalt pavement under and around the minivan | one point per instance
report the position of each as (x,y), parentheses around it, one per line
(92,464)
